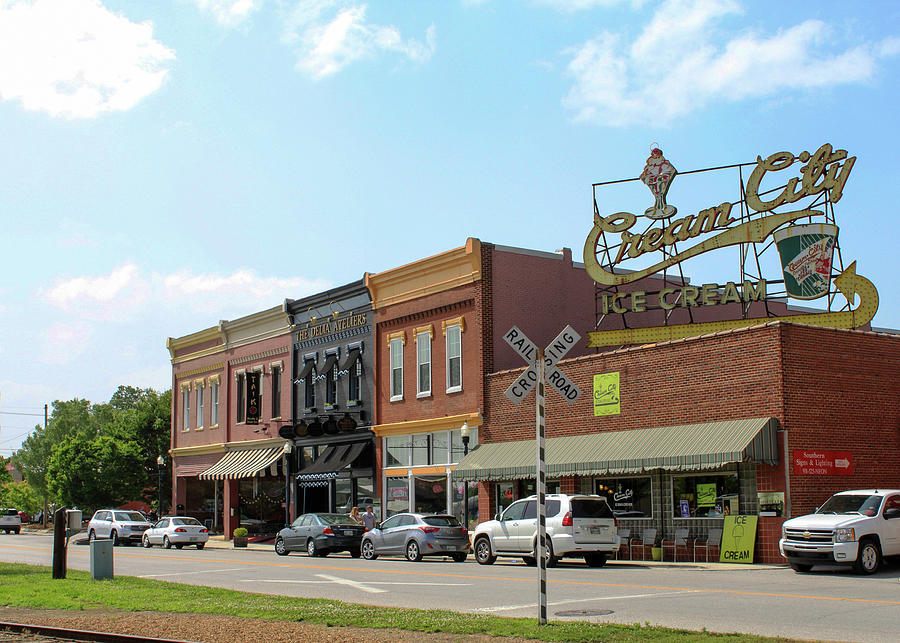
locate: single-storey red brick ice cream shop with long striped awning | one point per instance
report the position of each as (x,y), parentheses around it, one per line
(706,425)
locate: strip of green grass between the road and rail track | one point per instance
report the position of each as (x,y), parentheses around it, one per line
(33,587)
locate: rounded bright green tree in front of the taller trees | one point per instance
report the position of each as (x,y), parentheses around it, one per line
(94,473)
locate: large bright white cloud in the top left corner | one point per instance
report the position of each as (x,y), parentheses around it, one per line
(77,59)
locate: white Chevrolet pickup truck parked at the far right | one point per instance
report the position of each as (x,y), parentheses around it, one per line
(854,528)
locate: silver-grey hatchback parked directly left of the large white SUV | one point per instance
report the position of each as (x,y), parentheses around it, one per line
(417,535)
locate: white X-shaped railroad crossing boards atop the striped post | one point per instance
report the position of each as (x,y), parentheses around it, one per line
(554,352)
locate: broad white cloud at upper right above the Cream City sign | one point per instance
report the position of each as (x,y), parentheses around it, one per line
(677,65)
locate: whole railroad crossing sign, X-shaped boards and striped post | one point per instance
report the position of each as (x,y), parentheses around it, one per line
(542,369)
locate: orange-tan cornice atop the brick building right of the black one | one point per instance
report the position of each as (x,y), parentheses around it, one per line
(438,273)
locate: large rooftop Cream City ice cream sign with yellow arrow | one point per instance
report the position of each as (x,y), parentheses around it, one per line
(805,238)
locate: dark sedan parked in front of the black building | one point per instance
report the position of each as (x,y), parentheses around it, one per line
(319,534)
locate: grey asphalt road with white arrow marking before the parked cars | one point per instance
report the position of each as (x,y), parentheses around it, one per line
(828,604)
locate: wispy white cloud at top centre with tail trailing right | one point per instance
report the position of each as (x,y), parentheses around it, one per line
(329,35)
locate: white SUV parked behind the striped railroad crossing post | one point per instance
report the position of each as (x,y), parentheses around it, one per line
(577,526)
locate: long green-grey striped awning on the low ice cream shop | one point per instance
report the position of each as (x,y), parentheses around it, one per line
(676,448)
